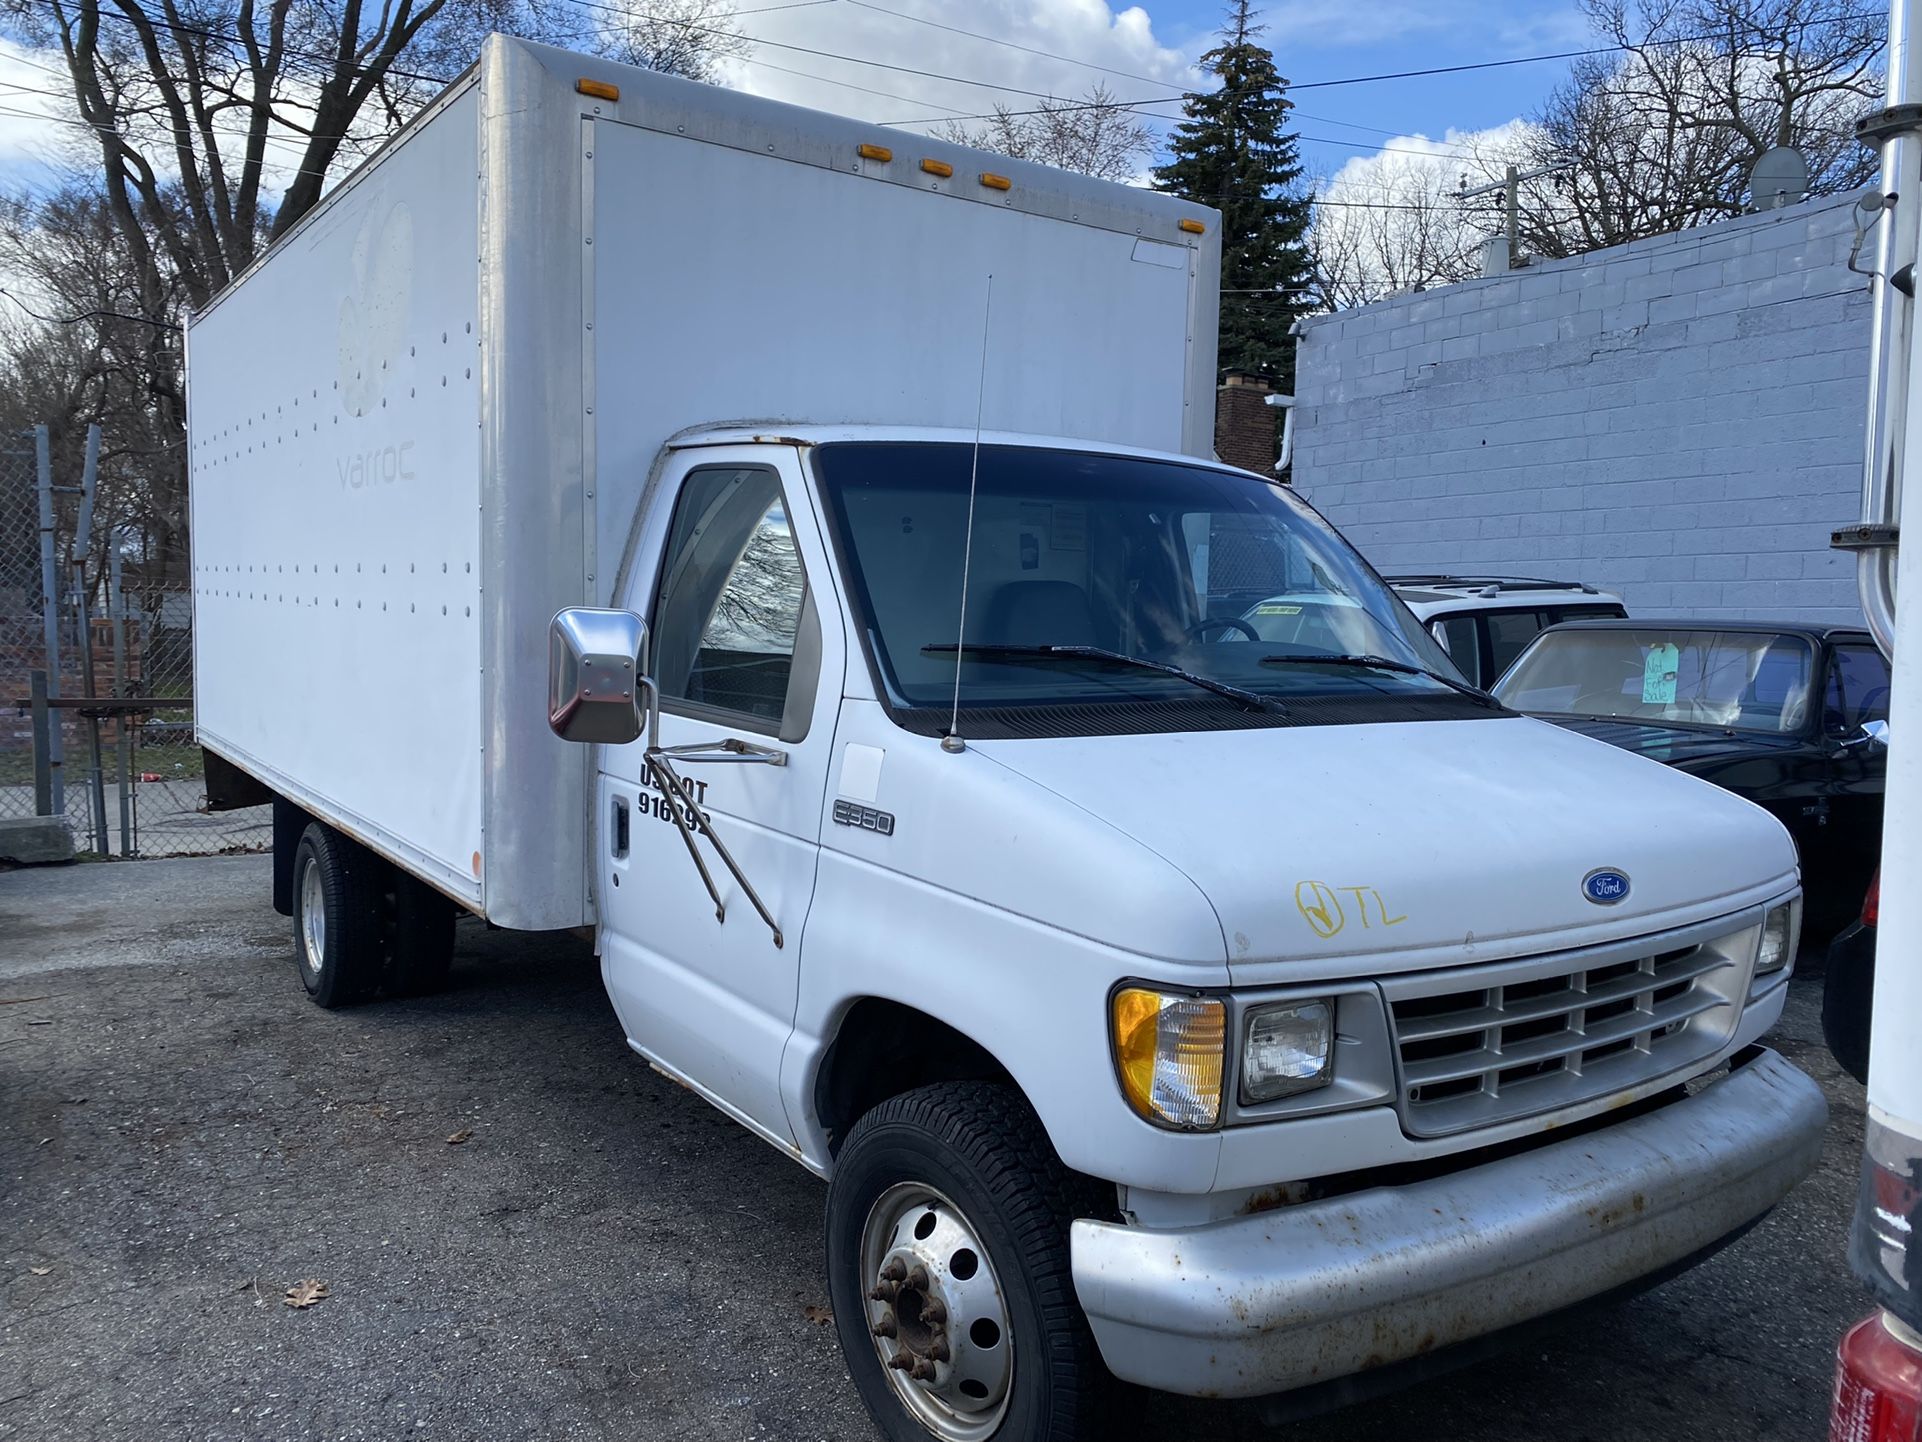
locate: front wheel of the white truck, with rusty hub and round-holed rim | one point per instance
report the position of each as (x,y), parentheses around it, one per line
(949,1266)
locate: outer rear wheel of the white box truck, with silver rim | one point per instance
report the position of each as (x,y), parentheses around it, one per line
(337,918)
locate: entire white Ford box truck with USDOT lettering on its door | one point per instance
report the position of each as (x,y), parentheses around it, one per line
(622,507)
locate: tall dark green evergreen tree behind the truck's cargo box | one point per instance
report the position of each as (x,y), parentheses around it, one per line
(1235,153)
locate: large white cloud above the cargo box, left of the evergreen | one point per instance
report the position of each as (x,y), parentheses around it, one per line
(1087,43)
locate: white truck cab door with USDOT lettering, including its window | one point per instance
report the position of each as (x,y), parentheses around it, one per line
(727,576)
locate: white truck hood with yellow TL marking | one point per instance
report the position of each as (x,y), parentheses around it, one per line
(1417,845)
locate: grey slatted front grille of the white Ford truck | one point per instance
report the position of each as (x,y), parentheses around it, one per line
(1487,1045)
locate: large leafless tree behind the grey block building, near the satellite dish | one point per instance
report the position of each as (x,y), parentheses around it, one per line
(1663,136)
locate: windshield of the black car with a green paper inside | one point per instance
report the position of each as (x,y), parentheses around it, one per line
(1729,680)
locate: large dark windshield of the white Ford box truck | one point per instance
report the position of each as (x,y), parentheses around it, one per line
(1200,570)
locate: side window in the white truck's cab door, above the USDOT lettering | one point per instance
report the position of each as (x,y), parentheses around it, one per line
(733,626)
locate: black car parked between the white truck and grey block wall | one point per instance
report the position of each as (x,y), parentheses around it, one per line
(1790,716)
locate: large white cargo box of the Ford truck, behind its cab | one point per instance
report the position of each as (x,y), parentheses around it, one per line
(424,422)
